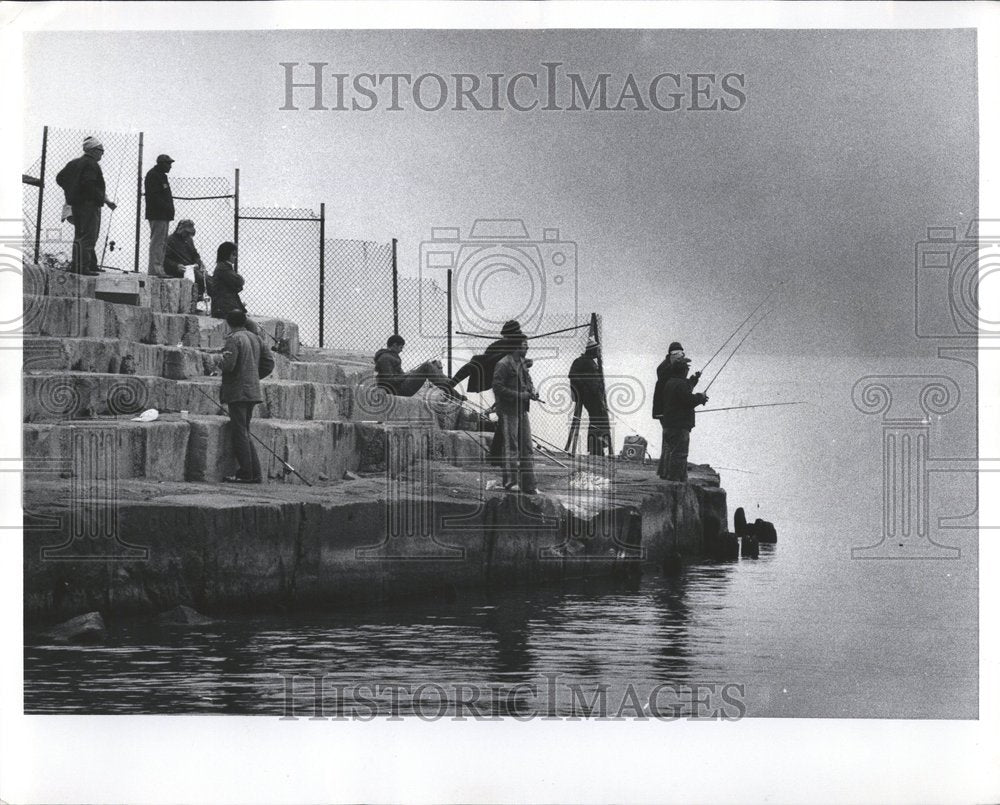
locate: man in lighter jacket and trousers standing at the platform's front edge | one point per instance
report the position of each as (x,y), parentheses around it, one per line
(513,390)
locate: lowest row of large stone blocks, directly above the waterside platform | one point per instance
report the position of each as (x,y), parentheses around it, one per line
(199,448)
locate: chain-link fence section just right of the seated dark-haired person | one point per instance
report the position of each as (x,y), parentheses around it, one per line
(280,255)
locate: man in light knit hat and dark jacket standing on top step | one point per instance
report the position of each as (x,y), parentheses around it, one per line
(82,181)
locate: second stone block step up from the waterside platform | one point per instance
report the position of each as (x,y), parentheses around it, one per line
(50,396)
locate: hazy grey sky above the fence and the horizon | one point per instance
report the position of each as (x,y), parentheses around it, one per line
(849,145)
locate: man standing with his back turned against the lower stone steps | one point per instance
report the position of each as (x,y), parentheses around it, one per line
(244,362)
